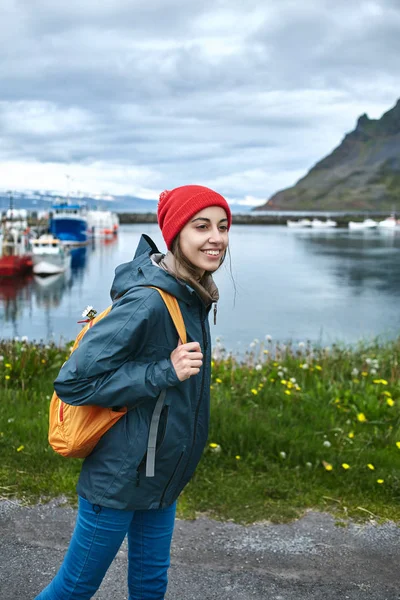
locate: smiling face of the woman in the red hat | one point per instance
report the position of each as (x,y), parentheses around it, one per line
(204,239)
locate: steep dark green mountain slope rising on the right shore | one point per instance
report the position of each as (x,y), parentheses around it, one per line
(362,173)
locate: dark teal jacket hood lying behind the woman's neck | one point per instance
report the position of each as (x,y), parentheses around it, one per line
(142,272)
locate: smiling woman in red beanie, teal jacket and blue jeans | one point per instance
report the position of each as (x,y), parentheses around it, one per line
(128,359)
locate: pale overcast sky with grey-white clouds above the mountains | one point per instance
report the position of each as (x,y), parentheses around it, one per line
(127,97)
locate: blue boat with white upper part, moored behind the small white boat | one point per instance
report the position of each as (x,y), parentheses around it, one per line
(68,223)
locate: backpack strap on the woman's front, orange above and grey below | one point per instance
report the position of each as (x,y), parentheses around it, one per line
(173,308)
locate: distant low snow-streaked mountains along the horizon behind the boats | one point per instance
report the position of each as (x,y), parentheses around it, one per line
(42,201)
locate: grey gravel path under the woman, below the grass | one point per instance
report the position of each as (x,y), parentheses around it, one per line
(311,558)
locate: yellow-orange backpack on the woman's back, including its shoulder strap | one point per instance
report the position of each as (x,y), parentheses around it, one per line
(75,430)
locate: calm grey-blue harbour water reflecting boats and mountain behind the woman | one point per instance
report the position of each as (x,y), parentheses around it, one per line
(324,286)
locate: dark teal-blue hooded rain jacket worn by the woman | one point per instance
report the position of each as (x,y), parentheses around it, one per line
(124,360)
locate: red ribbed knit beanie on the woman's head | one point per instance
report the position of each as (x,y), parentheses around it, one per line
(178,206)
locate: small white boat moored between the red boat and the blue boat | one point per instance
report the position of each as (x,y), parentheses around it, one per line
(49,256)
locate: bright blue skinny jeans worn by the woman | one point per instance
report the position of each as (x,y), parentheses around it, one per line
(98,535)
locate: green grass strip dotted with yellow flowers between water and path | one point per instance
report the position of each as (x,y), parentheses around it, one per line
(292,428)
